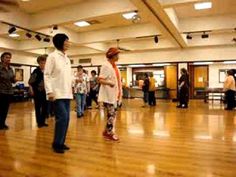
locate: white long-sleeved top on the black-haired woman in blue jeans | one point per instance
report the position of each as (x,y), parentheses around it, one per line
(57,75)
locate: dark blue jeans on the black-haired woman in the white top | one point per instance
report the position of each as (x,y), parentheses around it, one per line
(62,115)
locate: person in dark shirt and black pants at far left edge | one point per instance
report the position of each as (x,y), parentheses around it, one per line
(7,77)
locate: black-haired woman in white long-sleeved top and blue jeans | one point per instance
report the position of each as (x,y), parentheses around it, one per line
(58,86)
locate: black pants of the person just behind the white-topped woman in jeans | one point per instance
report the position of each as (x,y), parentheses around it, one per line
(40,104)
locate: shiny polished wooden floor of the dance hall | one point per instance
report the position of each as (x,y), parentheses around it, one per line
(159,141)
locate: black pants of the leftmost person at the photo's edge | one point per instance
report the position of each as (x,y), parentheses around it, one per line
(4,107)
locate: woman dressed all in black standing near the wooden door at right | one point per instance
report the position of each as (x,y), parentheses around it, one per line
(183,89)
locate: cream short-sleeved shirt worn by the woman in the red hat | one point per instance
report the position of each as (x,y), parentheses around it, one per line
(108,94)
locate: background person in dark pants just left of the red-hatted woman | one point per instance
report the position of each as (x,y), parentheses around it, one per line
(94,86)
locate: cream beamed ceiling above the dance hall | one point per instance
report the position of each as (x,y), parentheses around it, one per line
(41,15)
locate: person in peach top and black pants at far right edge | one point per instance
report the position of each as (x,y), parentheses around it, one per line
(229,88)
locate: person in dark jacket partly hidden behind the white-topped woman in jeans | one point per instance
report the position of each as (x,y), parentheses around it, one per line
(36,82)
